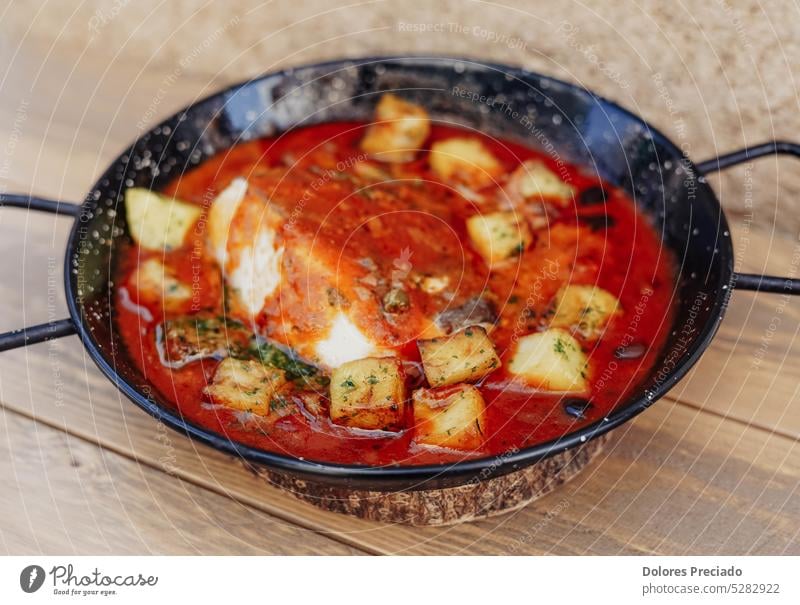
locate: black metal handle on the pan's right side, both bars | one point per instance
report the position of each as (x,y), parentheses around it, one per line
(749,281)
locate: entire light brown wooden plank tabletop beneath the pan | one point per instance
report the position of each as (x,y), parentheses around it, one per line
(712,469)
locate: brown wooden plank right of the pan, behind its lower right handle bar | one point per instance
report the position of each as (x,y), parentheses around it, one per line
(751,371)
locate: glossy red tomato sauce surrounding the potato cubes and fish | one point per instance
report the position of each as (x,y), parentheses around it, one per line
(617,249)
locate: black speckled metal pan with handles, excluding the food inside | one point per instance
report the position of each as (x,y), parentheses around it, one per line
(508,102)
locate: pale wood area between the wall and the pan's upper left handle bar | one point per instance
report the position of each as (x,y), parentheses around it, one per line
(65,117)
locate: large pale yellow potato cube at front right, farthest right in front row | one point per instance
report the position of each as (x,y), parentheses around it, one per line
(552,360)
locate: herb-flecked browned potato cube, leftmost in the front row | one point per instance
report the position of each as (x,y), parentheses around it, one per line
(246,385)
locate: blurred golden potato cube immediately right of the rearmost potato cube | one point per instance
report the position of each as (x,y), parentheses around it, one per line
(464,160)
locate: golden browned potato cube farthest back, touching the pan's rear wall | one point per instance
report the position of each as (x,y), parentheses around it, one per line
(399,131)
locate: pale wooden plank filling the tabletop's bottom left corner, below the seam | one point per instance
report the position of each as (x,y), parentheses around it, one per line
(66,496)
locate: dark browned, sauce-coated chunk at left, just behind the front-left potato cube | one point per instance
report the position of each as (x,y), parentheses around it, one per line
(186,339)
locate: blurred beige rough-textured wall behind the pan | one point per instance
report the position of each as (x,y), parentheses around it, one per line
(728,68)
